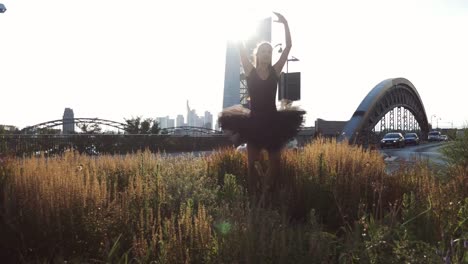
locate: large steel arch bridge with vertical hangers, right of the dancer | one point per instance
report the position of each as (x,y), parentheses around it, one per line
(387,97)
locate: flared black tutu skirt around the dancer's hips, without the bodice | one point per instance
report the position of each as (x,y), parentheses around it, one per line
(271,130)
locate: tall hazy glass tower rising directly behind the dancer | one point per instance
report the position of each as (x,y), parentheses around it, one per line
(235,86)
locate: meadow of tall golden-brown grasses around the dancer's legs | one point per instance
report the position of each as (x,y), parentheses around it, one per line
(342,207)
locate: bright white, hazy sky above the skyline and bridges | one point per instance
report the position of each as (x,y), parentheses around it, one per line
(117,59)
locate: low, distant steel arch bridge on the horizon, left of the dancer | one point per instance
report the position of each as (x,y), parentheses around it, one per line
(59,122)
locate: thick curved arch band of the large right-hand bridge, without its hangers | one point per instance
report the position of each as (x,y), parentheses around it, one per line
(383,98)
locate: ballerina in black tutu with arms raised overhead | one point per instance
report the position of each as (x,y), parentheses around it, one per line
(263,126)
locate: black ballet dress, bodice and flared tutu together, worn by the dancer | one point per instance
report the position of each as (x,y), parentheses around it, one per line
(263,125)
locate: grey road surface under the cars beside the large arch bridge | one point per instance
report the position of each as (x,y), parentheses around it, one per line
(424,152)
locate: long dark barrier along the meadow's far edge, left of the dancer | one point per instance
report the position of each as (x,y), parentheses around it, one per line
(105,143)
